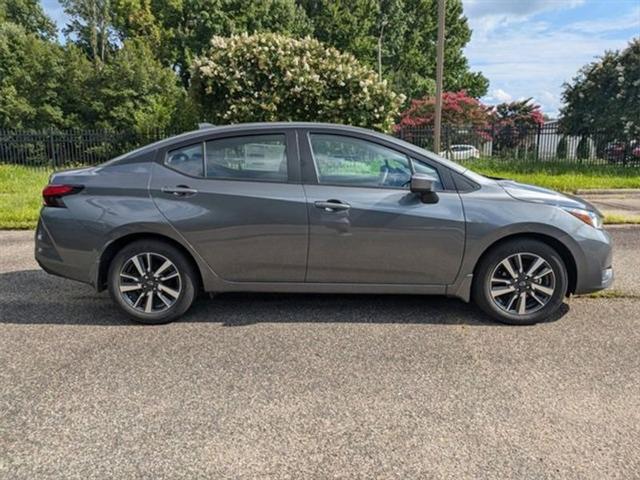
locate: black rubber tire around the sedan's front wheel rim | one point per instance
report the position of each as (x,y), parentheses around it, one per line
(481,290)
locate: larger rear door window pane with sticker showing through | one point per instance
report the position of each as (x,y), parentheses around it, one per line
(255,157)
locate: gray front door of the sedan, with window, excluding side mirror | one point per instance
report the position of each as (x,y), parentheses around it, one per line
(365,224)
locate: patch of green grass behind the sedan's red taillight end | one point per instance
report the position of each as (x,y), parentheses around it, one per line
(20,195)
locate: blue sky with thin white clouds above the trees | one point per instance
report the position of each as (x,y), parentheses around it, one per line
(529,48)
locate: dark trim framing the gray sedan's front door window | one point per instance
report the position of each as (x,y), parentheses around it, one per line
(410,160)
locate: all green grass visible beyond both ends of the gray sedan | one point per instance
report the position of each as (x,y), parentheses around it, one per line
(21,187)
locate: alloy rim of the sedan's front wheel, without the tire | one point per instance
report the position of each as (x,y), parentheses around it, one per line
(522,283)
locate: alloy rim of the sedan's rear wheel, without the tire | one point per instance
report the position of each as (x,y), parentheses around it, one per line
(149,282)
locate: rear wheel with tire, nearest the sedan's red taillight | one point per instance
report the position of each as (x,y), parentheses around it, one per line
(152,281)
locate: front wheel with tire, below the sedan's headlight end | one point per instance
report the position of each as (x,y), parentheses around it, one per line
(520,282)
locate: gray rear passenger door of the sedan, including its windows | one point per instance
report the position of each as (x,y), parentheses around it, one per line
(237,199)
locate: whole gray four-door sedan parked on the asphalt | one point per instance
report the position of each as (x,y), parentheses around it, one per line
(305,207)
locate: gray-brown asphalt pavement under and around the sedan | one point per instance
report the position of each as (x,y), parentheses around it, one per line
(312,386)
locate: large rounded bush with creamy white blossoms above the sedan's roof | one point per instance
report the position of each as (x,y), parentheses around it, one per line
(268,77)
